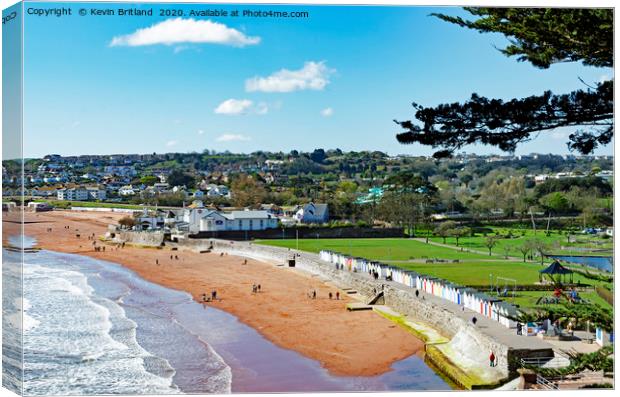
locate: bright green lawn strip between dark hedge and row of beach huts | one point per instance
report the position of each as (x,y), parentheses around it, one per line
(383,249)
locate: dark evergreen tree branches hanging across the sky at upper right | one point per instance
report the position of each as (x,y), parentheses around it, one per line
(543,37)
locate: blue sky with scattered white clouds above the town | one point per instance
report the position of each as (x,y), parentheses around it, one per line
(97,85)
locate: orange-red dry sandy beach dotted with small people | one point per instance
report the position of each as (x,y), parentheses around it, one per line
(345,343)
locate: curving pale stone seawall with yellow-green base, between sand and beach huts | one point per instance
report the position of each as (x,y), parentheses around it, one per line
(457,348)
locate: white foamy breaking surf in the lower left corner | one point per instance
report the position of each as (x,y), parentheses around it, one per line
(71,351)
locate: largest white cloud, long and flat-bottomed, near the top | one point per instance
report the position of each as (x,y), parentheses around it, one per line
(179,30)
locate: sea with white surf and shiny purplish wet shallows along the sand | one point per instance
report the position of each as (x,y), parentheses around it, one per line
(94,327)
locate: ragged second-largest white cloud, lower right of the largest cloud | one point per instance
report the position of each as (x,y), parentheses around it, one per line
(313,76)
